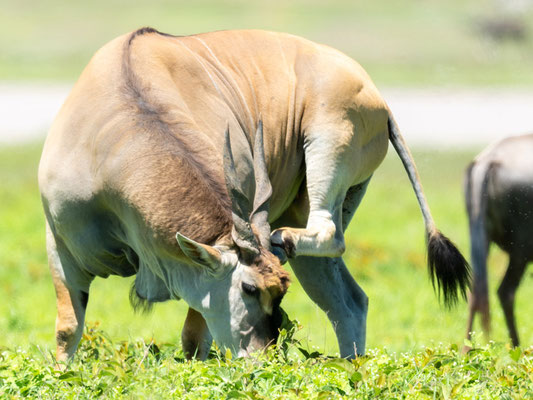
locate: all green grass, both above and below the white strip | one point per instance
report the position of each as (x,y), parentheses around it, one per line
(413,343)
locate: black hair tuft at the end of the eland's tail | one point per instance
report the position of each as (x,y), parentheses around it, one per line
(448,267)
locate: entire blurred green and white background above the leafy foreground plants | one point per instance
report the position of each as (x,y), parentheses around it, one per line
(457,75)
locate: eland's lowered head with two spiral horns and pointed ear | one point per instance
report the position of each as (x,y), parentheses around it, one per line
(242,305)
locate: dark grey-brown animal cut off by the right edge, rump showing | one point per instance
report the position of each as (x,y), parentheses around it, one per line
(499,202)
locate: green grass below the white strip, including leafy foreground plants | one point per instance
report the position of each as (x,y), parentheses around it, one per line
(413,341)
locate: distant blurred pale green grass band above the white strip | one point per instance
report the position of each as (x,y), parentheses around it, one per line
(403,42)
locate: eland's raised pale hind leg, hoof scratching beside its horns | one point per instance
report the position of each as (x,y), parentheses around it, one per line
(335,161)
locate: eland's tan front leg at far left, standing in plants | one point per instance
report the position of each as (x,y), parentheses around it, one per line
(71,302)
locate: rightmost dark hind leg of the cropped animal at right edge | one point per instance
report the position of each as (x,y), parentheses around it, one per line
(507,290)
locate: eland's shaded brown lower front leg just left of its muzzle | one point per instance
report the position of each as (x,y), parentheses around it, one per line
(195,337)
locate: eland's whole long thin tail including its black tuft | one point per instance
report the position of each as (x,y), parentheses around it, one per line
(448,269)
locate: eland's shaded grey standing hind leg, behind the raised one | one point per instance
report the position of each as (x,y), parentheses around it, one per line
(329,284)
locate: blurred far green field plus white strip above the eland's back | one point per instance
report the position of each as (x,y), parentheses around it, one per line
(451,47)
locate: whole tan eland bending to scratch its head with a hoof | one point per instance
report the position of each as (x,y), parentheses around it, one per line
(136,155)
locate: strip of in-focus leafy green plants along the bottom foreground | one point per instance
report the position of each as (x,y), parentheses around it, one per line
(142,370)
